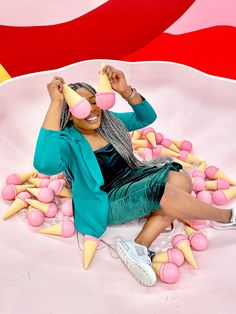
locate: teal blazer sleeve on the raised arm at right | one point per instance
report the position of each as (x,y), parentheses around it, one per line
(142,116)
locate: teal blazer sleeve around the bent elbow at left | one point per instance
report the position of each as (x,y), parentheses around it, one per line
(51,153)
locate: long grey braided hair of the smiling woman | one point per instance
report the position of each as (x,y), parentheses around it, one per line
(116,133)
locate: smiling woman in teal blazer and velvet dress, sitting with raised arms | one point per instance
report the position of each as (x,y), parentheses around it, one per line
(109,185)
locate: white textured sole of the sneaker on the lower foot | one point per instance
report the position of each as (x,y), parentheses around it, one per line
(141,274)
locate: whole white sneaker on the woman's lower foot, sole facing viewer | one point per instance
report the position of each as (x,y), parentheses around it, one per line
(136,259)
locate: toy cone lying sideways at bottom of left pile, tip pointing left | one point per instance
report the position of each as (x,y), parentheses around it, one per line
(64,228)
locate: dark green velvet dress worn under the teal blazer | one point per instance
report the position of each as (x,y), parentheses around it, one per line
(132,192)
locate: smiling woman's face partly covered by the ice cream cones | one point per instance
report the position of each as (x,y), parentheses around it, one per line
(84,125)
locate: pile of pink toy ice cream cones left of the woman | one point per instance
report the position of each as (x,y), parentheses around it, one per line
(45,200)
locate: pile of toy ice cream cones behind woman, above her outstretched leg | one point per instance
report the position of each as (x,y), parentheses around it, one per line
(210,184)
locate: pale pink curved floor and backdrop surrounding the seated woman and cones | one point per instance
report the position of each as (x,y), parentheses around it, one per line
(44,274)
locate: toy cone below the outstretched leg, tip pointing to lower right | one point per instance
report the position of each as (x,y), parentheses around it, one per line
(182,243)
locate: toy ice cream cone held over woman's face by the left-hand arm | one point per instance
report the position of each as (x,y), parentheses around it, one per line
(79,106)
